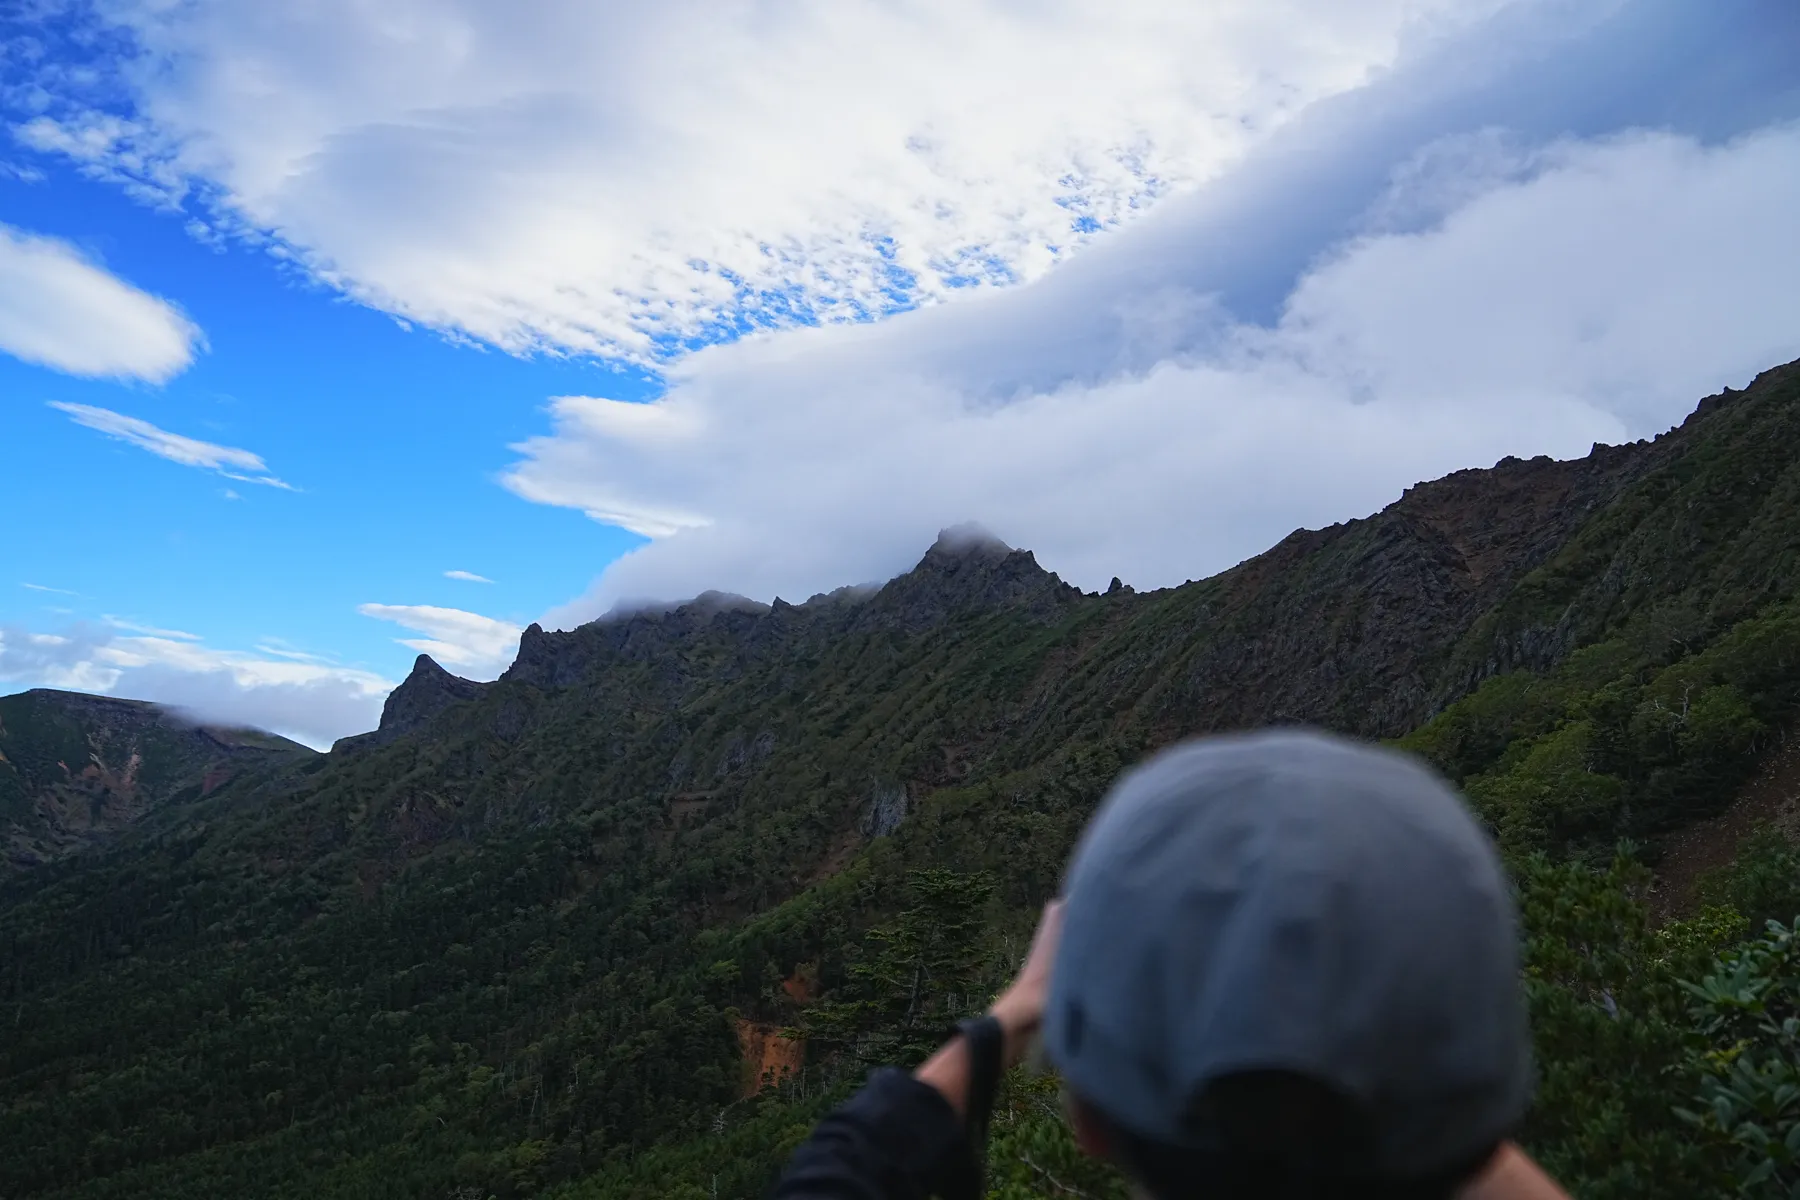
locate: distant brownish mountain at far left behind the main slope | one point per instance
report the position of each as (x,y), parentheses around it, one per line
(76,769)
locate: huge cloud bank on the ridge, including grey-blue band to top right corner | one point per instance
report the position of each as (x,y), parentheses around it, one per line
(1561,231)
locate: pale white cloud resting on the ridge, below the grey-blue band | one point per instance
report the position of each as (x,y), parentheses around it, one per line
(1592,294)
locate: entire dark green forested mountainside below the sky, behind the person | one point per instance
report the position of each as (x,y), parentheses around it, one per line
(625,920)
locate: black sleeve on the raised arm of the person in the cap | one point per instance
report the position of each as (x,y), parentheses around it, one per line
(895,1140)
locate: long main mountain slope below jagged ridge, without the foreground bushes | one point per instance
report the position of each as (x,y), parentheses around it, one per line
(516,935)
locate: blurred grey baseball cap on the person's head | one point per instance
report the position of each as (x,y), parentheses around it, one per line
(1297,902)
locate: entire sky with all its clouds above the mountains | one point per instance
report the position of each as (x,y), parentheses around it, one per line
(613,307)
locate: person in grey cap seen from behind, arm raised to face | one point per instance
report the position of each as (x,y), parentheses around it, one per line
(1284,965)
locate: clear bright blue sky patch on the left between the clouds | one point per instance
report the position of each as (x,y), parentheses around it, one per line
(391,440)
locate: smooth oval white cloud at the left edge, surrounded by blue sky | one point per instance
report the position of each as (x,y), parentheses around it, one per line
(66,312)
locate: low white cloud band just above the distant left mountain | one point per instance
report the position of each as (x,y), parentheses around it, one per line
(305,701)
